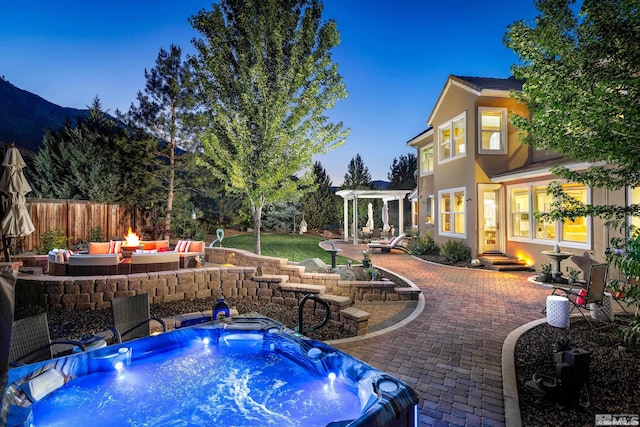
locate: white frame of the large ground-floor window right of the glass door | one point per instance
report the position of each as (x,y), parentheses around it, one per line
(558,226)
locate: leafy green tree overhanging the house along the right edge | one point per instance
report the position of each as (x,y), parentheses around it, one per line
(582,88)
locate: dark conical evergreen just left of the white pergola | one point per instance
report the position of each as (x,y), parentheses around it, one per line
(320,207)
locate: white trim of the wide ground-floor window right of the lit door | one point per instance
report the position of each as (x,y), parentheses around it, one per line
(558,226)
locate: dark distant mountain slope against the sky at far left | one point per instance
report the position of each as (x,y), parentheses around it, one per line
(24,117)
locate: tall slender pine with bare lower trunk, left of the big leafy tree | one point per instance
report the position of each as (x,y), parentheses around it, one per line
(166,110)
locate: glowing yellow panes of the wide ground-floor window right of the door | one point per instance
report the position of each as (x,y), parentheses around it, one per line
(525,201)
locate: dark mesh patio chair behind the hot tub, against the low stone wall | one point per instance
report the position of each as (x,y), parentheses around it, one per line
(132,318)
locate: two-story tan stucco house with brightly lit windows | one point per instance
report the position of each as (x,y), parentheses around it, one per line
(478,183)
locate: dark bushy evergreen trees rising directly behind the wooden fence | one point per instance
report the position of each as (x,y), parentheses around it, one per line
(95,159)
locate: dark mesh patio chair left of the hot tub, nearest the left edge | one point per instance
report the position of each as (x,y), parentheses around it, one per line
(31,342)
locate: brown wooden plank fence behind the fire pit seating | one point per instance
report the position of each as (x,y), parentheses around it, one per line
(77,218)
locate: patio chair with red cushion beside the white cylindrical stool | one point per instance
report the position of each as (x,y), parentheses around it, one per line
(593,293)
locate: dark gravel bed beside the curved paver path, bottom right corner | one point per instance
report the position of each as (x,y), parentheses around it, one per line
(614,378)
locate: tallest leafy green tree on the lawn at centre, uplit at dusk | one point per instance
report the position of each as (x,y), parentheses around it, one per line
(266,76)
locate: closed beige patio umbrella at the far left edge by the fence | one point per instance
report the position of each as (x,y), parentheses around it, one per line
(16,221)
